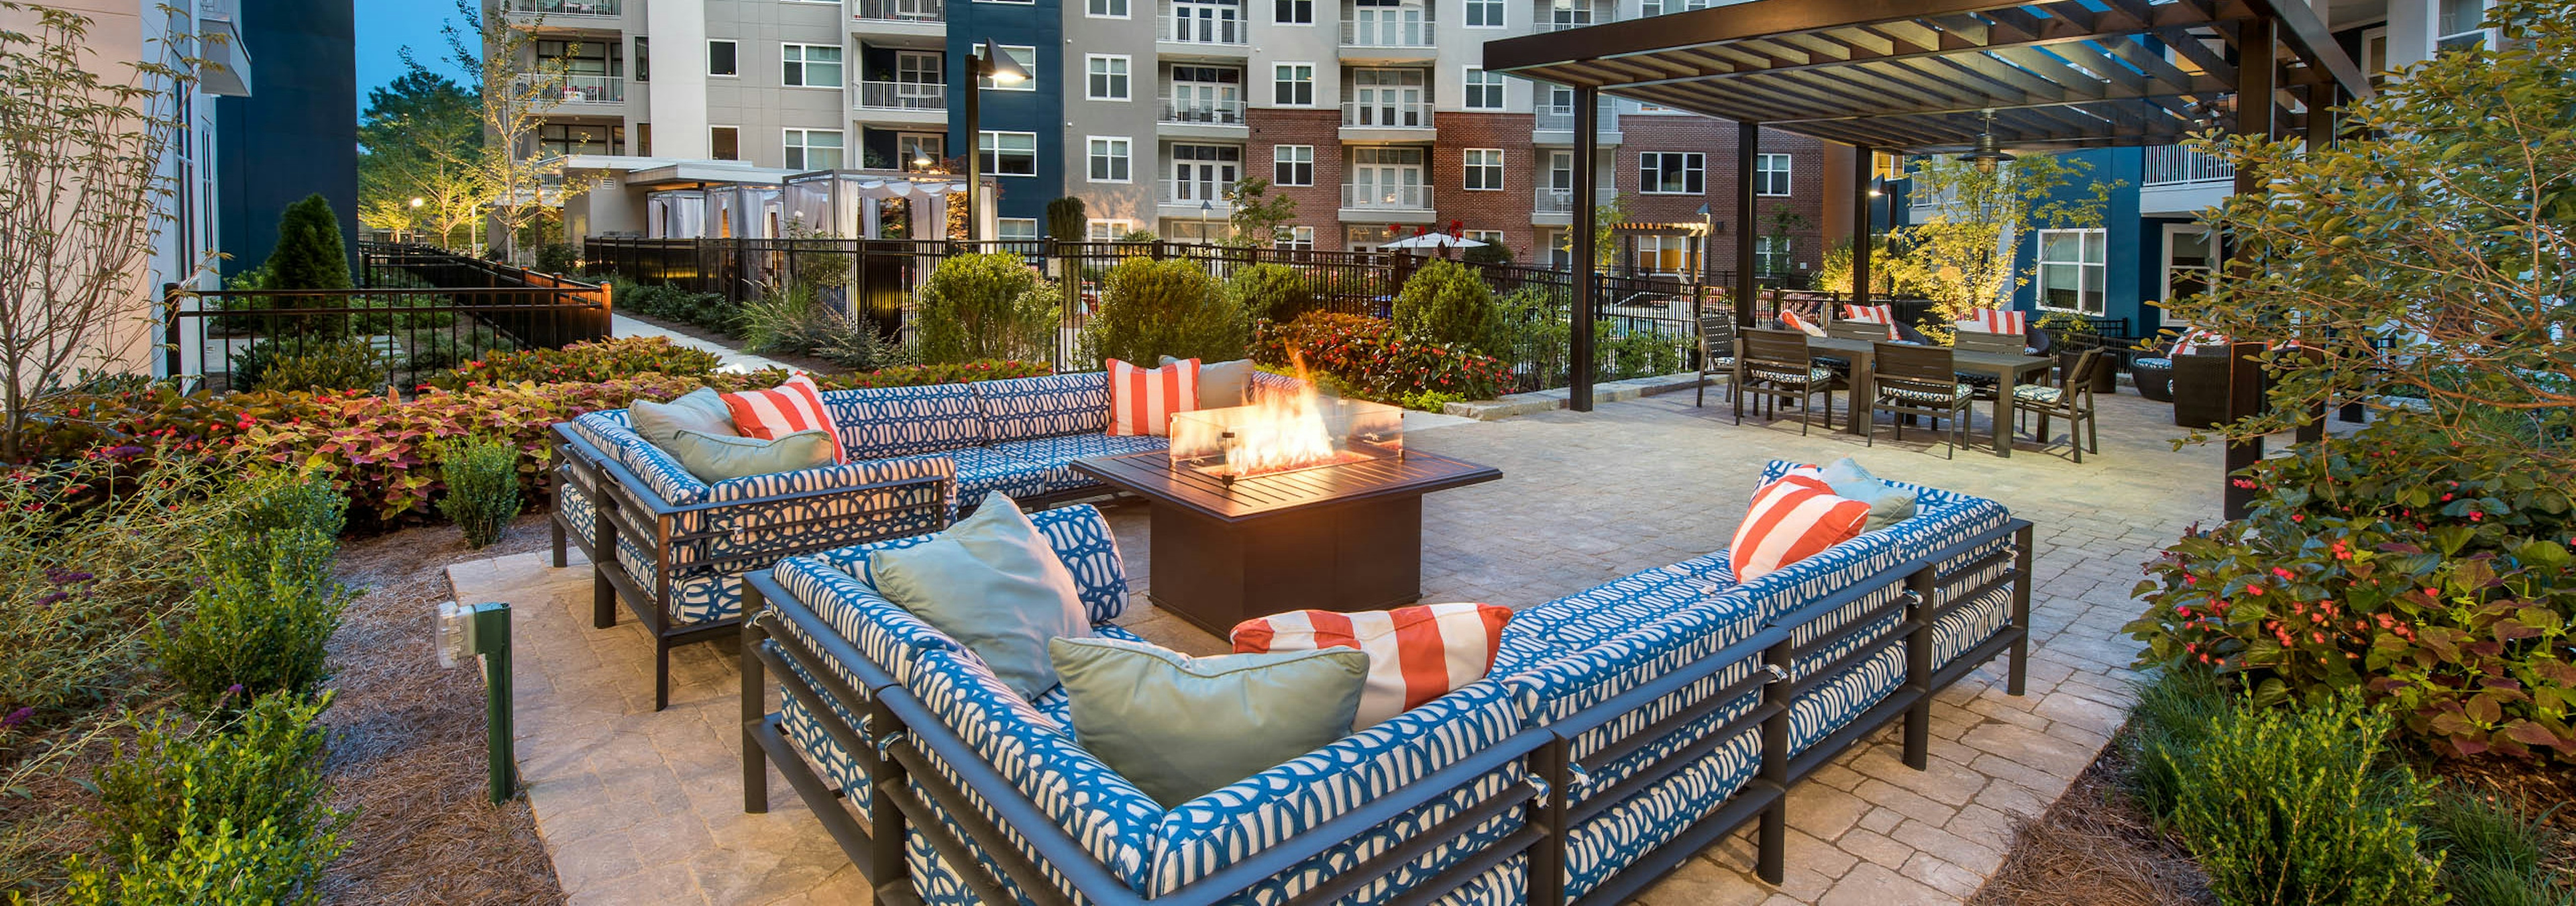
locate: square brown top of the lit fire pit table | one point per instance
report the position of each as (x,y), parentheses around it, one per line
(1243,501)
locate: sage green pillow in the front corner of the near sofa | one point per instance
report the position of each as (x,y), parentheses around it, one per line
(1181,727)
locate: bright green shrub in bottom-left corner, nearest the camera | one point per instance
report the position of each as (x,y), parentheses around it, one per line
(264,768)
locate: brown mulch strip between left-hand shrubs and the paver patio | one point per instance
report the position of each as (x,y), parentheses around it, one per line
(408,740)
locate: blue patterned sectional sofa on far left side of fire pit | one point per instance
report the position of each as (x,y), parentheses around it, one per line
(918,457)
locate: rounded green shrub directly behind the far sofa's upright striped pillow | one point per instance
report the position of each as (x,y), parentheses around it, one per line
(1163,308)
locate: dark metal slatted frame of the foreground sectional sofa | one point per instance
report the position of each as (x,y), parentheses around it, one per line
(911,737)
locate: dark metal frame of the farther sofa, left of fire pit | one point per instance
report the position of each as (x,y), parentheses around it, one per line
(627,508)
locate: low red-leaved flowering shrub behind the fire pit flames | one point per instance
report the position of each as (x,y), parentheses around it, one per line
(1377,362)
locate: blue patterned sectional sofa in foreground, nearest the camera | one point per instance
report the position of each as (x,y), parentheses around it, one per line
(1622,730)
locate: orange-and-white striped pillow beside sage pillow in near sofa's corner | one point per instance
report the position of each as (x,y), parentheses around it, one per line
(1416,655)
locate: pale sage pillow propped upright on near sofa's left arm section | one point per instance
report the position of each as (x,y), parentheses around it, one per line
(993,586)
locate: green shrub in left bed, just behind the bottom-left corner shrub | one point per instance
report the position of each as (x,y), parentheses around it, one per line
(259,622)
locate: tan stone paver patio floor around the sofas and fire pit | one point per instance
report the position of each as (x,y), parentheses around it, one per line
(645,807)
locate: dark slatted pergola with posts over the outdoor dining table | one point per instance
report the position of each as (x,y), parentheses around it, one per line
(1936,79)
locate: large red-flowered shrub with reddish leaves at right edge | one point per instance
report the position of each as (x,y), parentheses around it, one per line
(2433,580)
